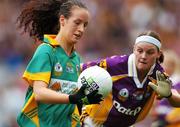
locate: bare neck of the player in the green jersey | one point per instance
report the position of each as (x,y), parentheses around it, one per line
(68,47)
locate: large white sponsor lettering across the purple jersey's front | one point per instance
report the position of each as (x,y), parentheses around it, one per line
(126,111)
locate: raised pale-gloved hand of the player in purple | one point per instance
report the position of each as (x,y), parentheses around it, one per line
(163,85)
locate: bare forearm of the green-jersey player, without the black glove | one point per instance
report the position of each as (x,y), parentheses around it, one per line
(45,95)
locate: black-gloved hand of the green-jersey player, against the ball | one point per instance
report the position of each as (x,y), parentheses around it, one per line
(80,97)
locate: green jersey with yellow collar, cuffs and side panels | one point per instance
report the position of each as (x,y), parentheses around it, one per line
(52,65)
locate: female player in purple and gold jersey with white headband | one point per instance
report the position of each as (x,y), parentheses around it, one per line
(131,97)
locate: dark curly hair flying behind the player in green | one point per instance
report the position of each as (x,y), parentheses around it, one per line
(39,17)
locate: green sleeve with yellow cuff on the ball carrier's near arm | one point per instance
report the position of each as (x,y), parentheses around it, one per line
(40,66)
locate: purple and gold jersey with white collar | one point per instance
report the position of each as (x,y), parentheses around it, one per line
(130,100)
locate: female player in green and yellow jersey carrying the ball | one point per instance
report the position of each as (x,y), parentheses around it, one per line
(52,73)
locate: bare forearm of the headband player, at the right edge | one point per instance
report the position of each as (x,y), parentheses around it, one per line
(174,100)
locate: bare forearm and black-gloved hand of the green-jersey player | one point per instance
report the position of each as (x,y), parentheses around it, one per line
(45,95)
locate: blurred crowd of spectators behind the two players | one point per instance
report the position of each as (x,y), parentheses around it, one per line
(112,30)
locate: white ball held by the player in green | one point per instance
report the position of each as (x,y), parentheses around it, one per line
(96,78)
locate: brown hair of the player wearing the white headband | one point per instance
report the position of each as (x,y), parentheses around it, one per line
(155,35)
